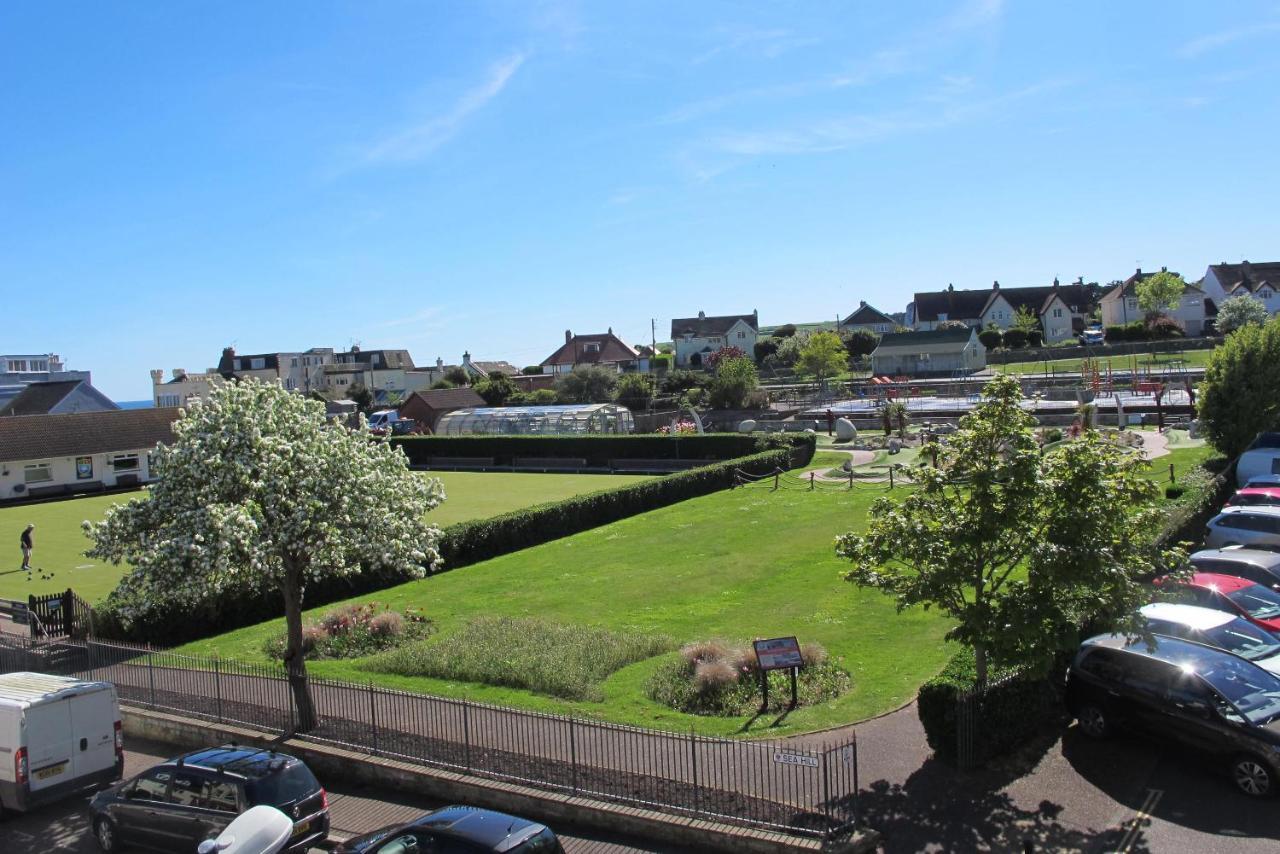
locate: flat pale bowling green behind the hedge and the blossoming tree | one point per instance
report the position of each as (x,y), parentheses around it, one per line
(61,545)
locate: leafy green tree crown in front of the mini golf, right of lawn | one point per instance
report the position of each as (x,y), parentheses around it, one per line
(1020,550)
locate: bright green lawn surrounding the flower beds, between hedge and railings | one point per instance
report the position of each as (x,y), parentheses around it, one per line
(737,565)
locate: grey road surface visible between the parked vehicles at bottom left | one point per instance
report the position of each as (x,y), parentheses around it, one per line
(65,828)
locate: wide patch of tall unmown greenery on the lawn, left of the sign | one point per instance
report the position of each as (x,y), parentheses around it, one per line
(551,659)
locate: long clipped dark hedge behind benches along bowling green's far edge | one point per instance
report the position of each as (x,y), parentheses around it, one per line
(597,450)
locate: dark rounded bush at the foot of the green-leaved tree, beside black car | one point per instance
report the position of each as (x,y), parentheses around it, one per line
(1014,710)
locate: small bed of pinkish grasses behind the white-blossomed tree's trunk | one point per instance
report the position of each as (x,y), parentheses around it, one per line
(355,631)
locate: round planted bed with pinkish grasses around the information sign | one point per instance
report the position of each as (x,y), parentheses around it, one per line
(715,678)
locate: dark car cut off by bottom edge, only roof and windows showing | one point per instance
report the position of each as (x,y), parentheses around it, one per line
(458,830)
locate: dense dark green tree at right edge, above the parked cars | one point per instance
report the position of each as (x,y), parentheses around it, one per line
(1241,394)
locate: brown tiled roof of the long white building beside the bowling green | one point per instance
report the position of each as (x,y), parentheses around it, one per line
(42,437)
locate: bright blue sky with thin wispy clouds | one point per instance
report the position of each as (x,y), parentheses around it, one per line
(177,177)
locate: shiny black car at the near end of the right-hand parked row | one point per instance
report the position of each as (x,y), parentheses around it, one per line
(1199,697)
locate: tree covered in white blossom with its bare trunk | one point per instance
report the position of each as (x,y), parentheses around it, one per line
(260,491)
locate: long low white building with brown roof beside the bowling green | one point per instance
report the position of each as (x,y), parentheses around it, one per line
(56,455)
